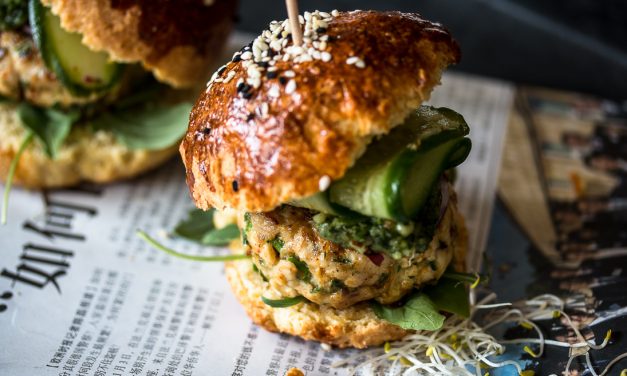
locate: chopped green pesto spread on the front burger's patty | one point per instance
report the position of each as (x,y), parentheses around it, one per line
(381,235)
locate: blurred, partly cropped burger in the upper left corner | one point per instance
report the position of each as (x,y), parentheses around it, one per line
(100,90)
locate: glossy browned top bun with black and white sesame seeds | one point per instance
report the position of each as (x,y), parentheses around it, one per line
(279,122)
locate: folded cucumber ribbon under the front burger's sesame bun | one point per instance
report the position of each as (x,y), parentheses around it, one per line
(395,176)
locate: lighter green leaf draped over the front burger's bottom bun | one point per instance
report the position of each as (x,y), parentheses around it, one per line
(418,313)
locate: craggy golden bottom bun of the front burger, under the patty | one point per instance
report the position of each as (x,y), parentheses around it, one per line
(355,326)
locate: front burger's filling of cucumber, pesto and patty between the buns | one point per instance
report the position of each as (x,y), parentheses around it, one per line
(382,233)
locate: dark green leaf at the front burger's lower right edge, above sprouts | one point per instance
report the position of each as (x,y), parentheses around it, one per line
(449,296)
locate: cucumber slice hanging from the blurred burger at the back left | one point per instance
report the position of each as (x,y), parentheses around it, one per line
(81,70)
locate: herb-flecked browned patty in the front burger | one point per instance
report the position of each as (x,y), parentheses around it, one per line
(290,254)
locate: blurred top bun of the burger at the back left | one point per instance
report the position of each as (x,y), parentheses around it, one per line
(176,40)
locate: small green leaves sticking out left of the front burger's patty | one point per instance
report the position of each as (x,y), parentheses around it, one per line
(198,227)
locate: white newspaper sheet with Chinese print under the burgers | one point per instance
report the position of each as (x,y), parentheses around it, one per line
(81,294)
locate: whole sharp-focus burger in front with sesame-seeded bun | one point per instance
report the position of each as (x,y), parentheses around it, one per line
(338,178)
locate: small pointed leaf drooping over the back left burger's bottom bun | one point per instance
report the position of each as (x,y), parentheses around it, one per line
(51,126)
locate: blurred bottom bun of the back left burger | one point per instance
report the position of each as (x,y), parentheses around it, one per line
(86,155)
